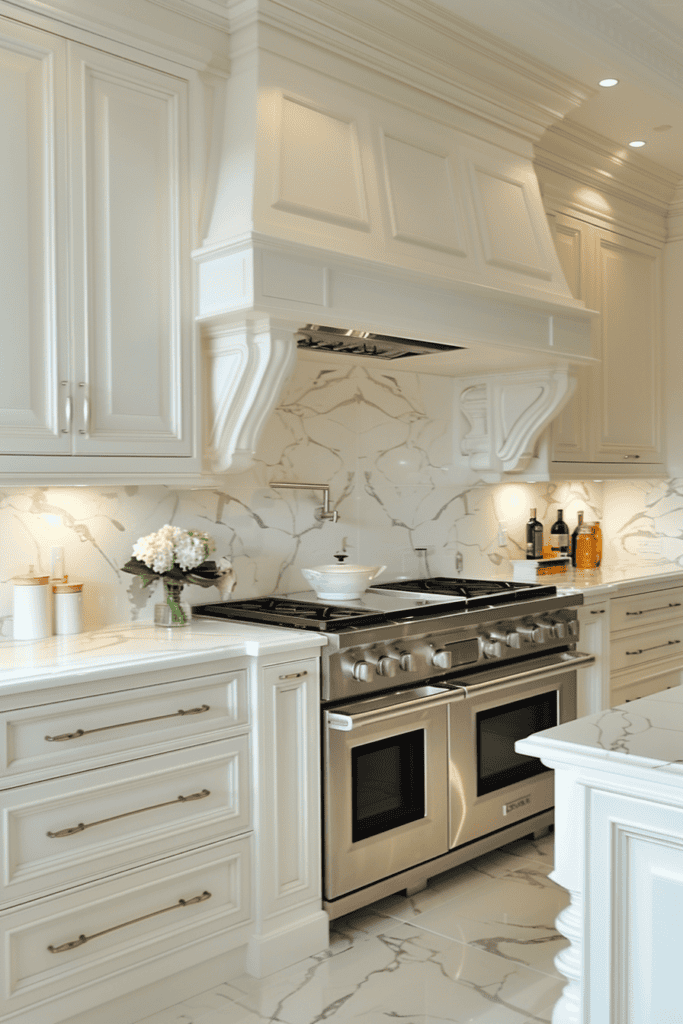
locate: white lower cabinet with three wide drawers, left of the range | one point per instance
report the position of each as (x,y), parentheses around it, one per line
(164,840)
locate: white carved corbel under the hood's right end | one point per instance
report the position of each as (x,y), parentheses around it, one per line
(507,413)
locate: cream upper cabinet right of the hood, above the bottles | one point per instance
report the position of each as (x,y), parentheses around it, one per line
(615,419)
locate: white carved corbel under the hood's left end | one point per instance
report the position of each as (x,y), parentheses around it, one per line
(247,366)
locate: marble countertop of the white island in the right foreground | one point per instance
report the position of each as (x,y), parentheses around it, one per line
(636,738)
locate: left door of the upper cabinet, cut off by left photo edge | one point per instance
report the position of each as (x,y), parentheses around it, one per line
(34,345)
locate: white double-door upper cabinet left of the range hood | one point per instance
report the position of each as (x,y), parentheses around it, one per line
(97,339)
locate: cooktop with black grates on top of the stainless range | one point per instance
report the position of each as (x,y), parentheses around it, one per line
(403,601)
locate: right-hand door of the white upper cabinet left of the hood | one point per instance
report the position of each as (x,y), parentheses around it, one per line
(134,378)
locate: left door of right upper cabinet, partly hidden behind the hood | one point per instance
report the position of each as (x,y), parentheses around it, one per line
(572,437)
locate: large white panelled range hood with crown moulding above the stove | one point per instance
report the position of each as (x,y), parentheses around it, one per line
(373,179)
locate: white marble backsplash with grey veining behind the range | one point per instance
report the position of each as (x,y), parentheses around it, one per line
(382,441)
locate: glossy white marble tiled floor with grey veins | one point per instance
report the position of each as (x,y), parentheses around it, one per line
(476,948)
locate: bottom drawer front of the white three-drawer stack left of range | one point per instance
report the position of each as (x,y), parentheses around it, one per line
(126,921)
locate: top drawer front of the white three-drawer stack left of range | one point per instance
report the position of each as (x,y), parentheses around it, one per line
(74,735)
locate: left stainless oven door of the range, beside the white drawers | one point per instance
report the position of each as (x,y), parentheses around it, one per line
(386,802)
